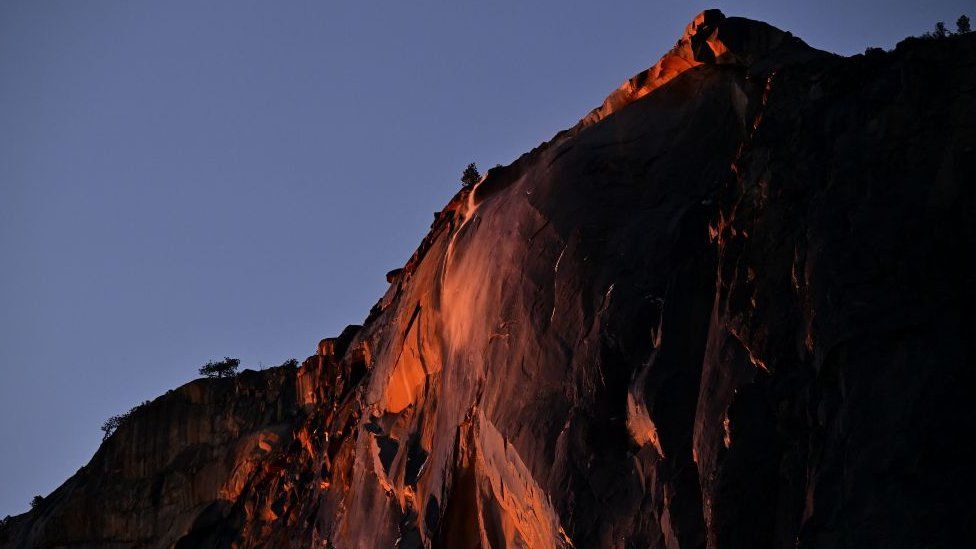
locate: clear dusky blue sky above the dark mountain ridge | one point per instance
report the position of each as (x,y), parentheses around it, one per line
(180,181)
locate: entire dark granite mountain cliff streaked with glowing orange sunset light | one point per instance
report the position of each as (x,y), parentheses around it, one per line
(730,308)
